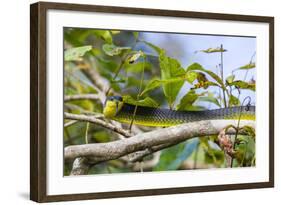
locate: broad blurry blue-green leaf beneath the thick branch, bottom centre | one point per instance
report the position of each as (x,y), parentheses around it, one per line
(171,158)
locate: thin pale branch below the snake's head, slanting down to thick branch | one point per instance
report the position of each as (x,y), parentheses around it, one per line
(97,122)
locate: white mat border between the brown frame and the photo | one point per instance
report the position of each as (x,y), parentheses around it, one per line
(56,184)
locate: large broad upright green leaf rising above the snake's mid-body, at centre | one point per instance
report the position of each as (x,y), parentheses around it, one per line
(170,68)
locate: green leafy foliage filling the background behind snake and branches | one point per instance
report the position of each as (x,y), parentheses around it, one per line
(145,75)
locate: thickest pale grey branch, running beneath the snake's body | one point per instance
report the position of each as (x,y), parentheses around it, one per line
(112,150)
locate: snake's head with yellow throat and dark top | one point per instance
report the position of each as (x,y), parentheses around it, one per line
(112,105)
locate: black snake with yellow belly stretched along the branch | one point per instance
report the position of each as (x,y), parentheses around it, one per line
(116,109)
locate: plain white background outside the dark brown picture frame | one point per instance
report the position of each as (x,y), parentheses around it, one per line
(14,102)
